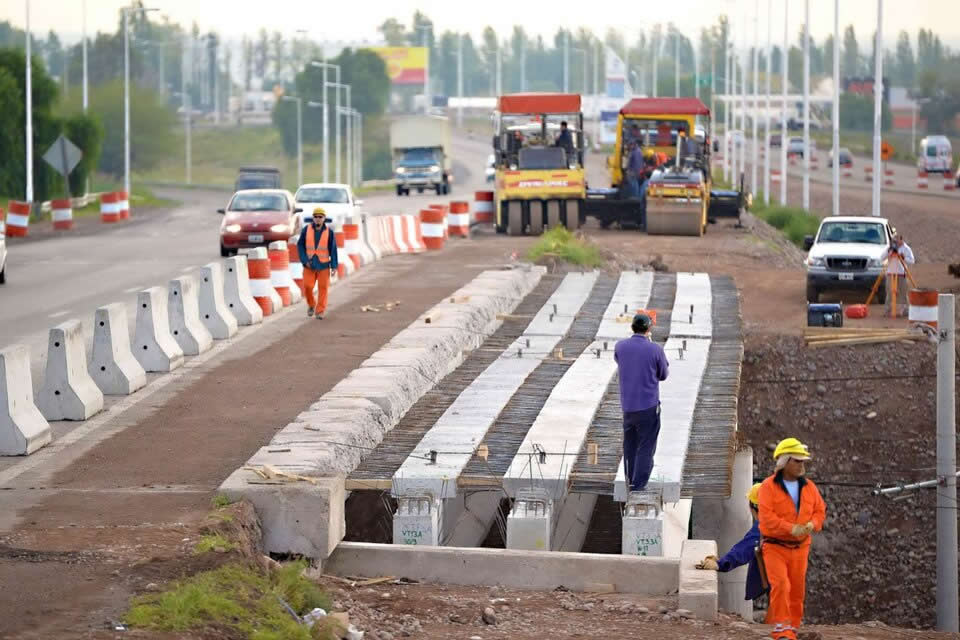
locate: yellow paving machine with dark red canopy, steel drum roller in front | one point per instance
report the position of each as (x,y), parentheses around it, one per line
(678,198)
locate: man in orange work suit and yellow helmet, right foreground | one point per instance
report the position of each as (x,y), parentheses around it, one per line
(791,509)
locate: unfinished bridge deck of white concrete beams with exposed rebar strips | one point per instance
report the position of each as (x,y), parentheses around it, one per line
(493,417)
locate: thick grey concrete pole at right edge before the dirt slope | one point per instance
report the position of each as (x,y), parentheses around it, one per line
(946,465)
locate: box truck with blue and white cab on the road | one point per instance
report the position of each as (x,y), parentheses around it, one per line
(421,154)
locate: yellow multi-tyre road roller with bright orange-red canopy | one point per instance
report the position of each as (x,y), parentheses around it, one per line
(539,175)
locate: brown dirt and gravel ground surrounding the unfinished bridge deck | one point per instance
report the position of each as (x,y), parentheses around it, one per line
(82,533)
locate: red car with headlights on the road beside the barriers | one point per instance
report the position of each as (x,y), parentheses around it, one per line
(257,217)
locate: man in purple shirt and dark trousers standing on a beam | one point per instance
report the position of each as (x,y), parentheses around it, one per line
(643,366)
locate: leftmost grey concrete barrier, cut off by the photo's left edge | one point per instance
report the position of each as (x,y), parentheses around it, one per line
(23,429)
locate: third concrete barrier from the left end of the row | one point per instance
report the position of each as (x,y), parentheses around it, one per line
(112,365)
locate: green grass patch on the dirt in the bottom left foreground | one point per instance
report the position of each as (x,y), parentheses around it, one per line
(236,599)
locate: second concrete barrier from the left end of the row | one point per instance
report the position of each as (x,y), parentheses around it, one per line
(68,392)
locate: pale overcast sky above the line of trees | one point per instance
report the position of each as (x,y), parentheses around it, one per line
(358,21)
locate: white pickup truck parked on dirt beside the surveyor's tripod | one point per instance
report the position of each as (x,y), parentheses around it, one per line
(848,253)
